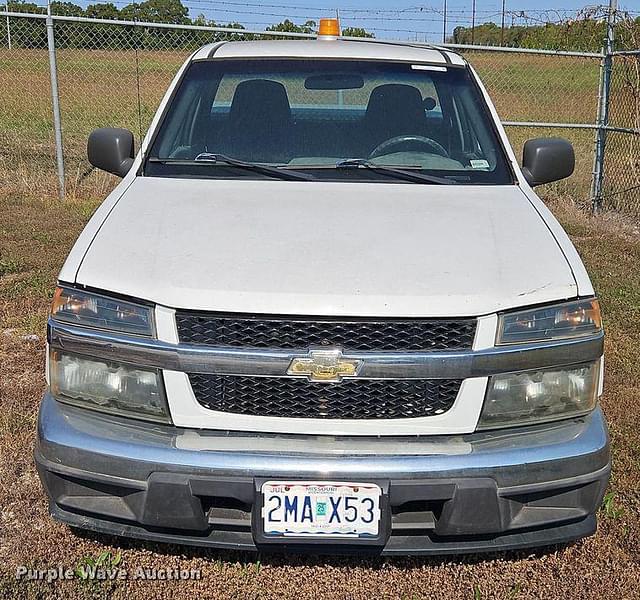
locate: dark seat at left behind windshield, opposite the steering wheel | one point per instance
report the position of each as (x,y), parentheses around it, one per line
(260,124)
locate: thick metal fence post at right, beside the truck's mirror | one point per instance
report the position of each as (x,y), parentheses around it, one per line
(604,98)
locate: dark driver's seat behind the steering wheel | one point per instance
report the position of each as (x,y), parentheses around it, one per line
(394,109)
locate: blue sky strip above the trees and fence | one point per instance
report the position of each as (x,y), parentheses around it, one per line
(417,20)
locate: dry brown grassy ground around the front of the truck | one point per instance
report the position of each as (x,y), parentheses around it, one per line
(35,236)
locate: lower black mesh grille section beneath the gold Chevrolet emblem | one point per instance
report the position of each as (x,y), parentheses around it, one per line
(349,399)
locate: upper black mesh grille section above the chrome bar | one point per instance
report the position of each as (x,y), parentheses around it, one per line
(350,334)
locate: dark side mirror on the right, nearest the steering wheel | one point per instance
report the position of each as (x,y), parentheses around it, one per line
(547,159)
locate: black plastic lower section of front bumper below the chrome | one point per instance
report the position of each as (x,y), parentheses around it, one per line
(435,516)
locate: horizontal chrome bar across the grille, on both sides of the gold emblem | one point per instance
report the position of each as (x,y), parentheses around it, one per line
(459,364)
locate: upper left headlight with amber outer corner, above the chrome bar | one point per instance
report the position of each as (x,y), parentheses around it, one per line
(94,310)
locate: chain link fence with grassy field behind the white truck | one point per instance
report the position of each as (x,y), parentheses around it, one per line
(114,73)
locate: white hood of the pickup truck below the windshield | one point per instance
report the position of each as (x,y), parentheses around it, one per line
(350,249)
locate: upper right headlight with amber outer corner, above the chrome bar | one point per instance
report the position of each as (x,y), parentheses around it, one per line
(561,321)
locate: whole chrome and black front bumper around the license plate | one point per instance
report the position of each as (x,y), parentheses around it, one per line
(507,489)
